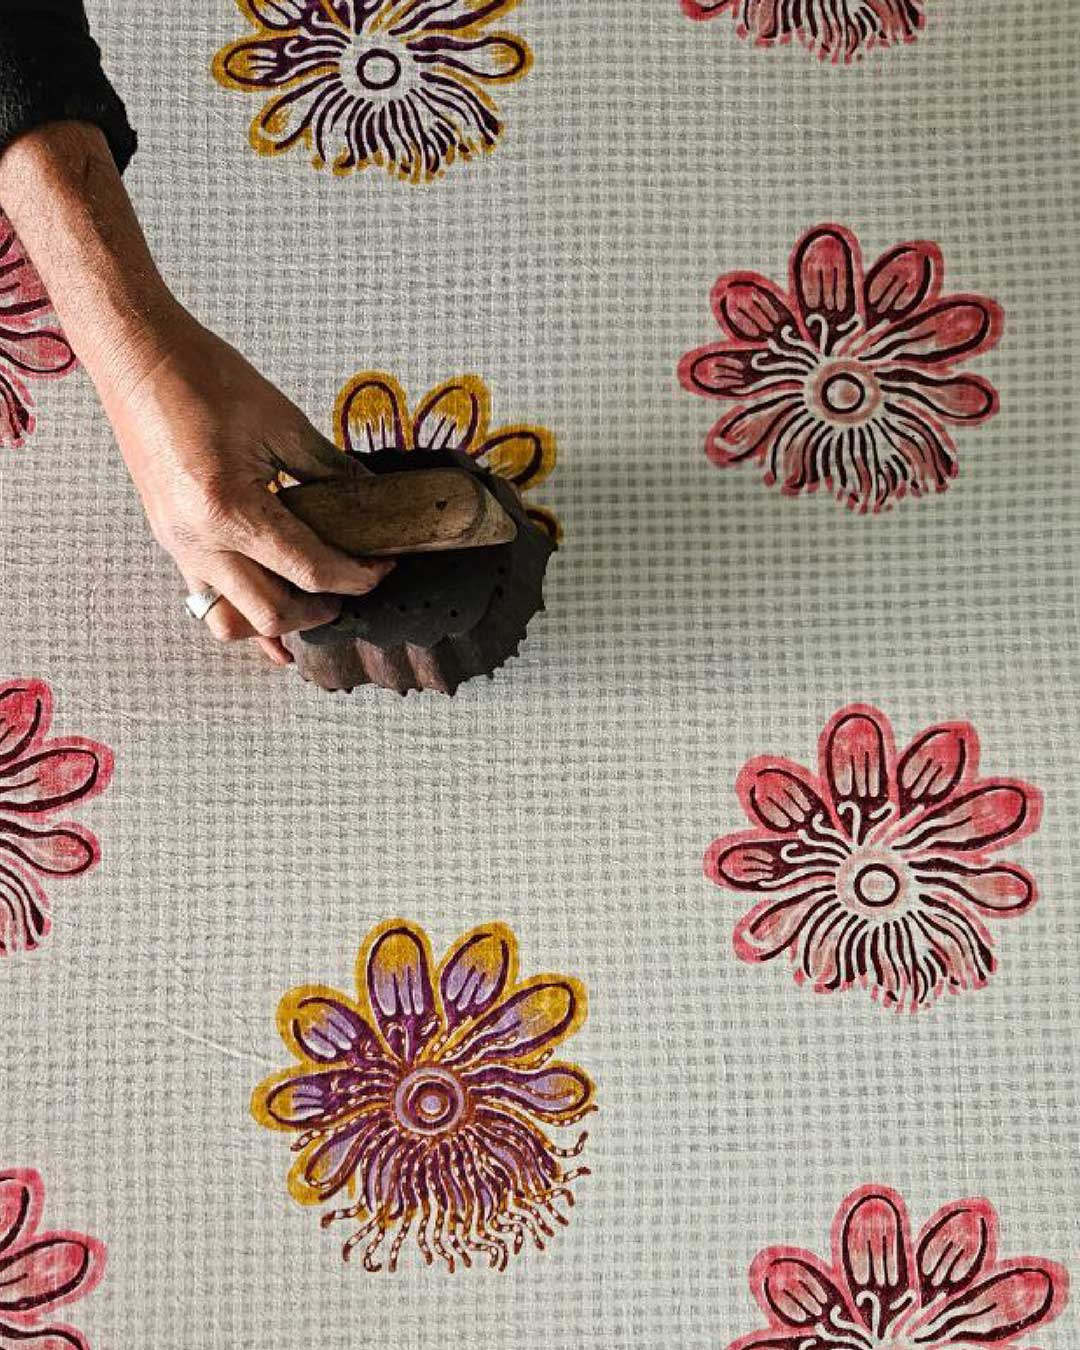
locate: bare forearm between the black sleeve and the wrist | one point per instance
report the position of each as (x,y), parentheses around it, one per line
(64,195)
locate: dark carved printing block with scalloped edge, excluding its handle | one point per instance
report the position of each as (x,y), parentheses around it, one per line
(439,619)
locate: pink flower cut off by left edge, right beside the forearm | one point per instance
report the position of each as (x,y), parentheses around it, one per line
(32,345)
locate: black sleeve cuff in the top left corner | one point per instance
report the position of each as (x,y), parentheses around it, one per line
(51,71)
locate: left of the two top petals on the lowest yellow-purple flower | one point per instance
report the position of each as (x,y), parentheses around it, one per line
(396,966)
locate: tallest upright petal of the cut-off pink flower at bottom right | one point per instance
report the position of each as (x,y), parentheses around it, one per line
(873,1247)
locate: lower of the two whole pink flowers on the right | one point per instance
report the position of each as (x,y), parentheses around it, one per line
(877,871)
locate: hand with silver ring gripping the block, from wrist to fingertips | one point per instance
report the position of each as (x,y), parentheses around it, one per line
(203,435)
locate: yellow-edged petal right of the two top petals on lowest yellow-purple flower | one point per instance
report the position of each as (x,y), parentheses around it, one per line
(541,1015)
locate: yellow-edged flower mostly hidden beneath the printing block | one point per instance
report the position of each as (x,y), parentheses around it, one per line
(373,414)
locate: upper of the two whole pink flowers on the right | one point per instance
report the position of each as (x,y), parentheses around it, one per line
(847,379)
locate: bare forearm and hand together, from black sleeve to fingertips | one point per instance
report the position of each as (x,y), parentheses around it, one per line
(202,431)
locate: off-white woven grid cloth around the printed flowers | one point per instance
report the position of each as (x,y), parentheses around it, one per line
(259,828)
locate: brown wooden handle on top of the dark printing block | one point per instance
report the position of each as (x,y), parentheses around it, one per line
(419,512)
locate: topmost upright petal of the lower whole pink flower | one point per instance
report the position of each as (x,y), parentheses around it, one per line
(858,754)
